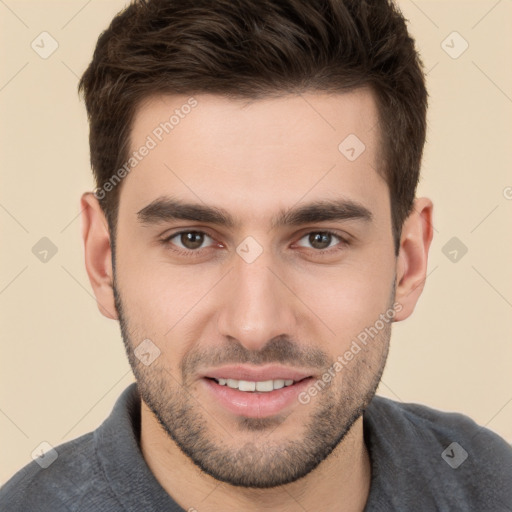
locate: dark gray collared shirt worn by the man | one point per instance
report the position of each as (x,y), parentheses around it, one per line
(422,460)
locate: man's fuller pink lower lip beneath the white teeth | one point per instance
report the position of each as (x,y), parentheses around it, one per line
(256,404)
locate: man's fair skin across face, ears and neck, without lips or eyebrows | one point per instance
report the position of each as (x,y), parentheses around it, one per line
(289,305)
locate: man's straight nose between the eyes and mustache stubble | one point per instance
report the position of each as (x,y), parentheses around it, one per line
(256,303)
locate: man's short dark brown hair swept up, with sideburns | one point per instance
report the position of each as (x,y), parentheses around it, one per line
(256,49)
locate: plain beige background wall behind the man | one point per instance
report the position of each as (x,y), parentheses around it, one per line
(63,364)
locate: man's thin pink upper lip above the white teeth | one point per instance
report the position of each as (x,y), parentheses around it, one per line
(257,374)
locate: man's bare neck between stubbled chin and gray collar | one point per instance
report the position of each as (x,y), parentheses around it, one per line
(340,483)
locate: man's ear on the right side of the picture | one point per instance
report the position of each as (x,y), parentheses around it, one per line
(417,233)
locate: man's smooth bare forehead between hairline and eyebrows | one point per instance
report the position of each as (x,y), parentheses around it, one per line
(255,156)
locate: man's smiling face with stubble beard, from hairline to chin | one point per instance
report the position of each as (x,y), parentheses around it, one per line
(283,259)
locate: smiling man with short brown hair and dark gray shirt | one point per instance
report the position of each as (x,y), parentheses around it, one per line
(255,231)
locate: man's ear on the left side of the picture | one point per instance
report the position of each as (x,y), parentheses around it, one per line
(98,254)
